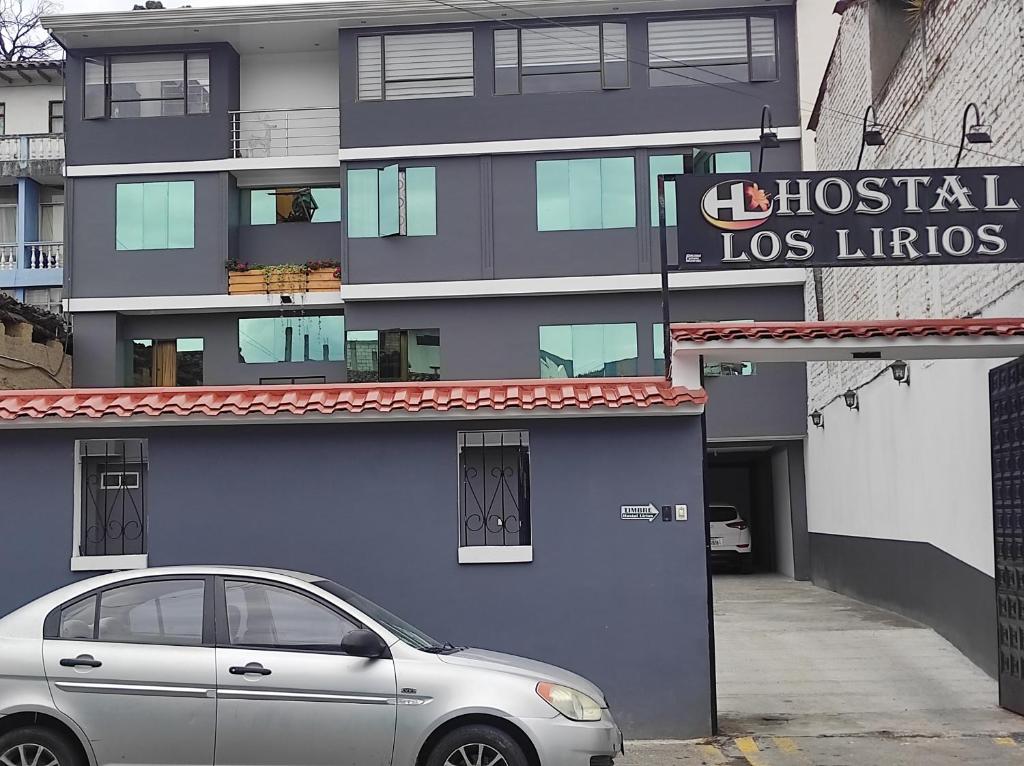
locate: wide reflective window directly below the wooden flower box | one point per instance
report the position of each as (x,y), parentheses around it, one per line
(284,339)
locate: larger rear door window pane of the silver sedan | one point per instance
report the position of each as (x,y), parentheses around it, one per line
(163,612)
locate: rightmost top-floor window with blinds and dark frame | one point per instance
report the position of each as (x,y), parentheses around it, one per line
(711,51)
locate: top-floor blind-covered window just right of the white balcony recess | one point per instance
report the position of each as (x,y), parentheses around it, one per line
(435,65)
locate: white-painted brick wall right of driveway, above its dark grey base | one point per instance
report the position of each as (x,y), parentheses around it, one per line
(915,463)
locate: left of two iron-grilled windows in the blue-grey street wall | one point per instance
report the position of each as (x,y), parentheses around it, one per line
(112,497)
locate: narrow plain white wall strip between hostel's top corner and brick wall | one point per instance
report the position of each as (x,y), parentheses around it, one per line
(817,28)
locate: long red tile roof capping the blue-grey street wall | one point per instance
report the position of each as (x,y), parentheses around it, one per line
(346,399)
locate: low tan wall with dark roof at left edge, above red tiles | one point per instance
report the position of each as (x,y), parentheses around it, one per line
(34,348)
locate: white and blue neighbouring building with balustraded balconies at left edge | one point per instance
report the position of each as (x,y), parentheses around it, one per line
(32,182)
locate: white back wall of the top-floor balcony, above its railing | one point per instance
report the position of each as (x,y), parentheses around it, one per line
(289,80)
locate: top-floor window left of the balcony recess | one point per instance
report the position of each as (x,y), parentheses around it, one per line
(147,86)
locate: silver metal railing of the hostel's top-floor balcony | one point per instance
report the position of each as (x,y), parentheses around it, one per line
(287,133)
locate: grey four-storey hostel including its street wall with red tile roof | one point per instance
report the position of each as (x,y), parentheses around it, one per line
(483,183)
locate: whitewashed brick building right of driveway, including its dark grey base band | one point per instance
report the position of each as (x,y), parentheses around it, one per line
(901,492)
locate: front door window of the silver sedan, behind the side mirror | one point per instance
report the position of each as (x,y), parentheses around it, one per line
(266,616)
